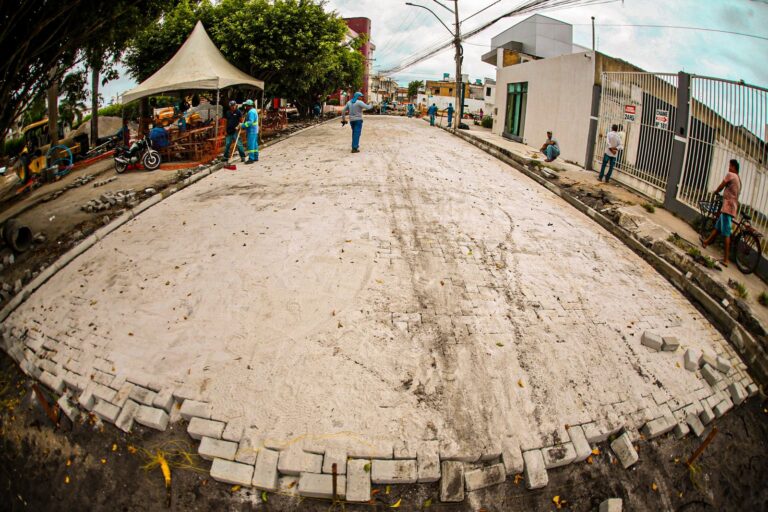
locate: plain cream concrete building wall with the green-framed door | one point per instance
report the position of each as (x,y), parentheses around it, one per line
(559,99)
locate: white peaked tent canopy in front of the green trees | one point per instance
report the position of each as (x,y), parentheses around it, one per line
(198,65)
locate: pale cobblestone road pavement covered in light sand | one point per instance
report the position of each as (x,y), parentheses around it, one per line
(420,297)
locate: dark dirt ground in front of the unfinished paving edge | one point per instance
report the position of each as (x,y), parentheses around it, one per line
(83,467)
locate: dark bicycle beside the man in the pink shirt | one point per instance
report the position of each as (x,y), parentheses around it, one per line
(746,244)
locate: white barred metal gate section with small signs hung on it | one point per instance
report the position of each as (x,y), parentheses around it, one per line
(643,105)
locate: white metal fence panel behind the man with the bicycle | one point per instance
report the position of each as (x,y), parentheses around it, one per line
(727,120)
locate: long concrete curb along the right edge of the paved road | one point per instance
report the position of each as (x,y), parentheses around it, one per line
(750,350)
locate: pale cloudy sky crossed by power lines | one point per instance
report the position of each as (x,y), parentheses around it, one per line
(400,31)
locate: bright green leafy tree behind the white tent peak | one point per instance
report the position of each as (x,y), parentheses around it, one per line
(295,46)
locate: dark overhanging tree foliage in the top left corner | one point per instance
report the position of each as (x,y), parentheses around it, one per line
(41,40)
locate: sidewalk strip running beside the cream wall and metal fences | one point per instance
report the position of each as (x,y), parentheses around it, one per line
(626,205)
